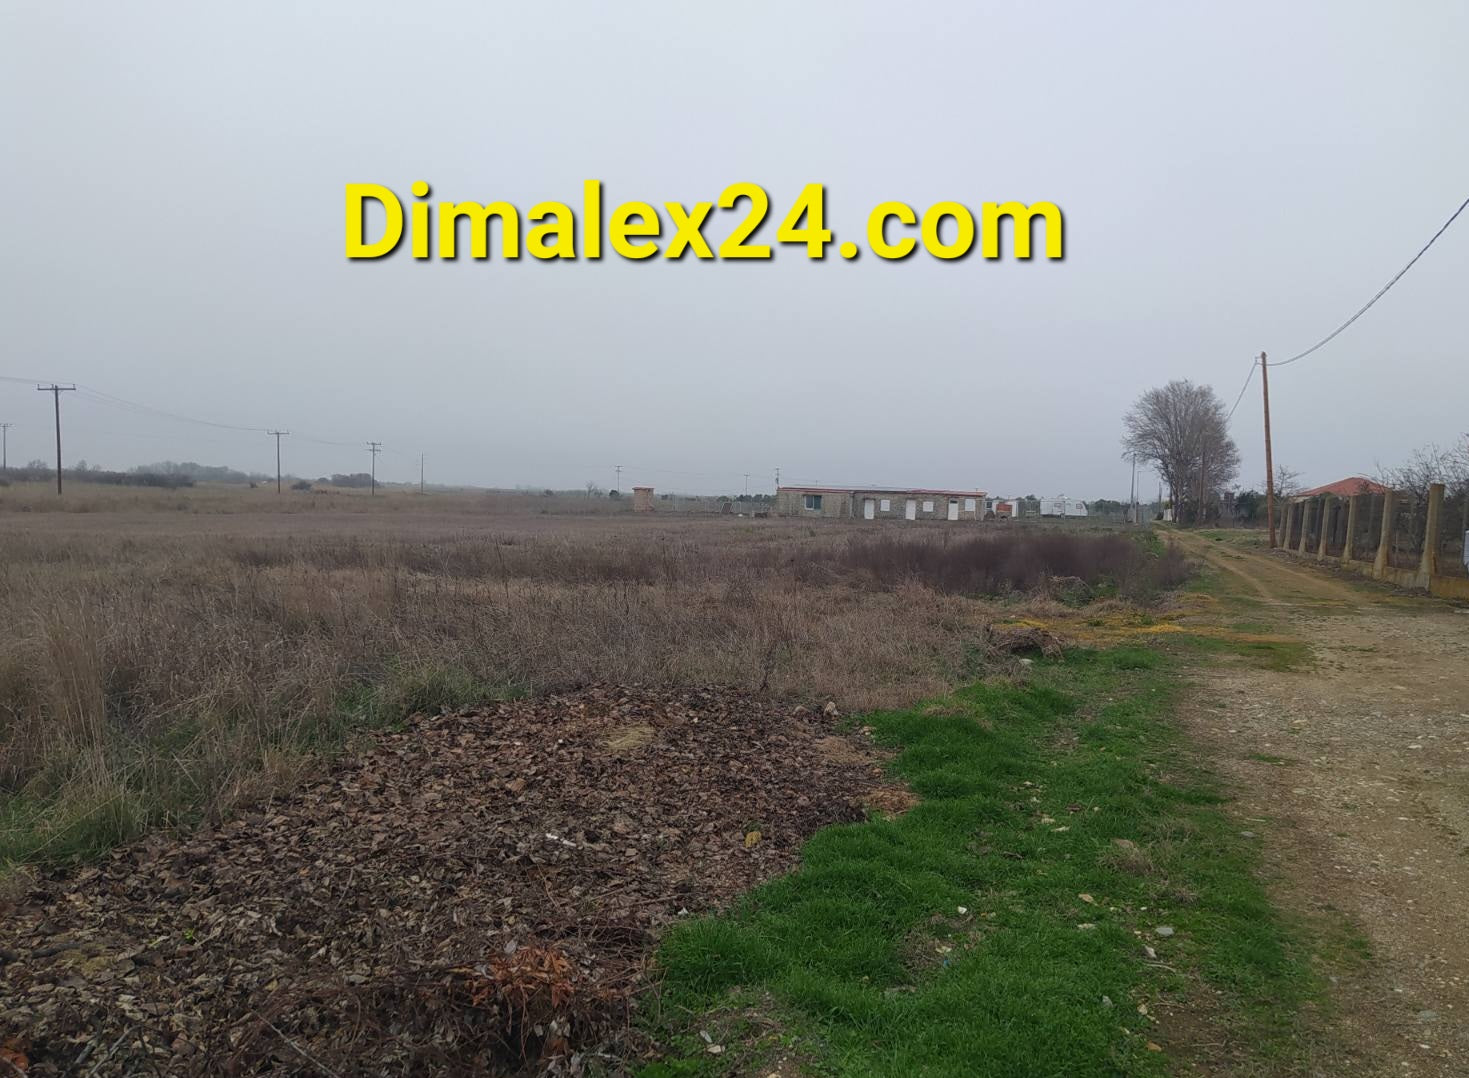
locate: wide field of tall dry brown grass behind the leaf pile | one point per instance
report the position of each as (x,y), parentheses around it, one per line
(171,653)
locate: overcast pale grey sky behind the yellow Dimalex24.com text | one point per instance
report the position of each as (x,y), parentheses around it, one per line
(1235,177)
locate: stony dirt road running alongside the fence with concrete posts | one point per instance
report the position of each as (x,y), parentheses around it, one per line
(1354,770)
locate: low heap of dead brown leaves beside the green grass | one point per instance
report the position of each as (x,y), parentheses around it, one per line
(478,894)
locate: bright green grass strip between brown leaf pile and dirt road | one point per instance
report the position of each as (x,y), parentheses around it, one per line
(1000,927)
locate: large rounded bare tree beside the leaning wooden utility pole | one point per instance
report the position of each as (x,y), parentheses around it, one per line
(1183,431)
